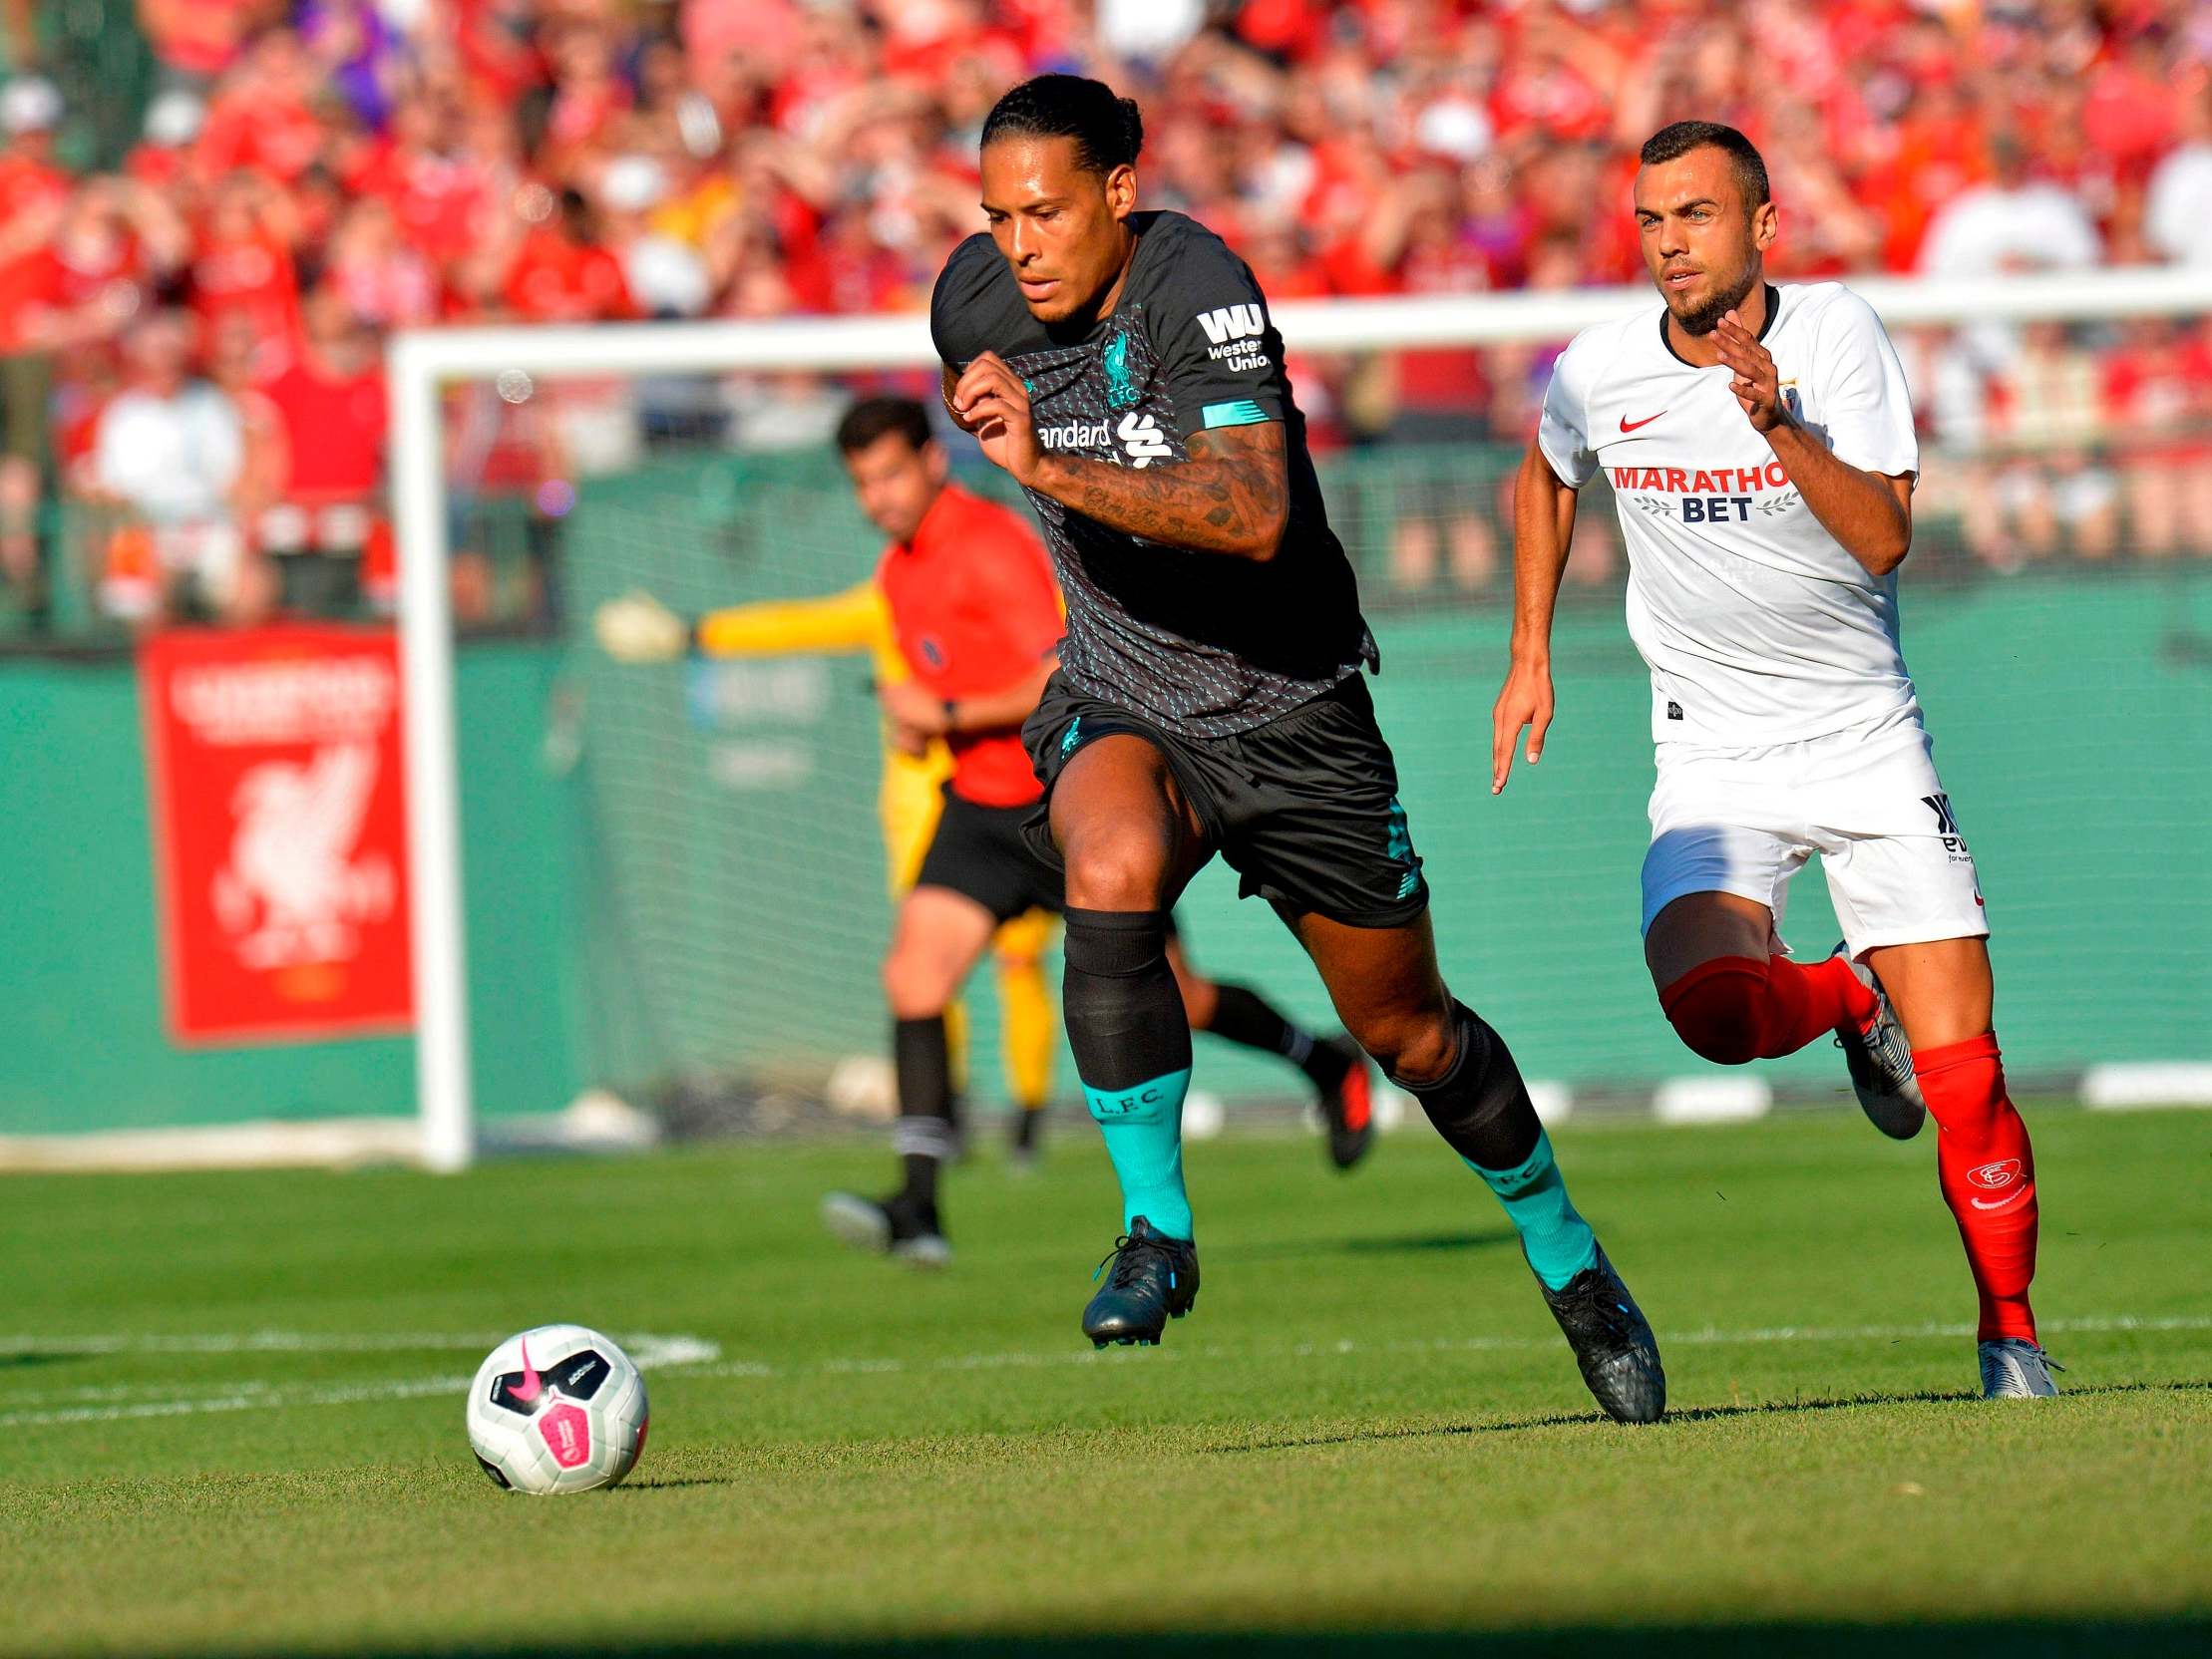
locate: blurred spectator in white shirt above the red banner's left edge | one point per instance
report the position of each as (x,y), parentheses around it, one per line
(167,459)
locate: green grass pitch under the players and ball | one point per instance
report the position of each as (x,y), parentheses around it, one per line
(231,1410)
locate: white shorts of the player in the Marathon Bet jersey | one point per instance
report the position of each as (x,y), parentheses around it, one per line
(1866,800)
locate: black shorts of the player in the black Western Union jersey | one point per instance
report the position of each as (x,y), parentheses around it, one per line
(1304,808)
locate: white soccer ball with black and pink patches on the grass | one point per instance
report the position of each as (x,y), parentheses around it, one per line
(556,1410)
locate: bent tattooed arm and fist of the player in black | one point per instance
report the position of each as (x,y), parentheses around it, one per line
(1233,494)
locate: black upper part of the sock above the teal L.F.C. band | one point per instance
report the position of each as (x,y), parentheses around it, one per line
(1118,994)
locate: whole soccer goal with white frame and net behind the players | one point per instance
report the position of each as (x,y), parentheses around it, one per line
(705,857)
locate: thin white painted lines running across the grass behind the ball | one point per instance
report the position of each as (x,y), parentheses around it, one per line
(255,1395)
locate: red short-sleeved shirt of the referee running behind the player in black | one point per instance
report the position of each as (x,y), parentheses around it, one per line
(974,609)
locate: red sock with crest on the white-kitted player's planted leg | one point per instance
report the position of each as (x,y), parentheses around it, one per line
(1987,1173)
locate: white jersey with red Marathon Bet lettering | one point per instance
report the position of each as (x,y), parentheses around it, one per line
(1757,625)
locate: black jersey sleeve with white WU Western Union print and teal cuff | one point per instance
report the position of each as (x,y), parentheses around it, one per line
(1218,346)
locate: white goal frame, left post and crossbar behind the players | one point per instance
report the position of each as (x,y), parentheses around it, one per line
(421,364)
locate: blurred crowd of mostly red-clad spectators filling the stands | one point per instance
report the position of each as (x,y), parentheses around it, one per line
(191,342)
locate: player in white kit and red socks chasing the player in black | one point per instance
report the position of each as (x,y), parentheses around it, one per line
(1762,450)
